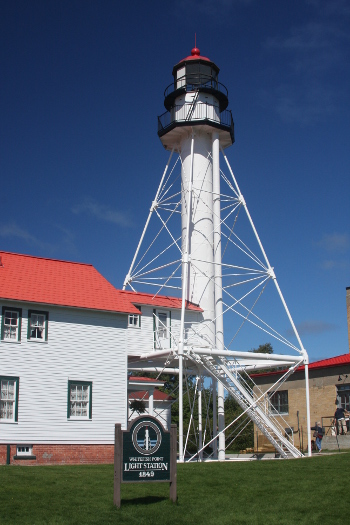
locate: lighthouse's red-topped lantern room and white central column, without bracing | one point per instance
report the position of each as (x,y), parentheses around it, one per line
(197,124)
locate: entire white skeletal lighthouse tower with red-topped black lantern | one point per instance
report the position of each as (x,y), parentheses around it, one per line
(197,126)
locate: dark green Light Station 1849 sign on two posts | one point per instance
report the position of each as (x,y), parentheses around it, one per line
(144,453)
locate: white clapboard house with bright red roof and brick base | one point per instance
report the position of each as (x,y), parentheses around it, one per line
(66,334)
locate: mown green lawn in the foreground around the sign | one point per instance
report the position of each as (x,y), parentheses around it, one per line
(306,491)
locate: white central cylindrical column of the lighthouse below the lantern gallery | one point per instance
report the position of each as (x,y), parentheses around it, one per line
(200,278)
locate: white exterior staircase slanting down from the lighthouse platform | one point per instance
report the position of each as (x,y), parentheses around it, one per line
(222,369)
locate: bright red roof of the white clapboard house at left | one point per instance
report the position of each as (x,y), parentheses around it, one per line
(50,281)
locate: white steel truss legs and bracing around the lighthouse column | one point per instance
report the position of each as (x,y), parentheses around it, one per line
(161,259)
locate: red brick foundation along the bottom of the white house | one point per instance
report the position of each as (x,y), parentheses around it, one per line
(60,455)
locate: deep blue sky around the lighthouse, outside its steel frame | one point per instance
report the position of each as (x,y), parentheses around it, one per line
(82,85)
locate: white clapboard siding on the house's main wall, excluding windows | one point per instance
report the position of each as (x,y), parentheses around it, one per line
(82,345)
